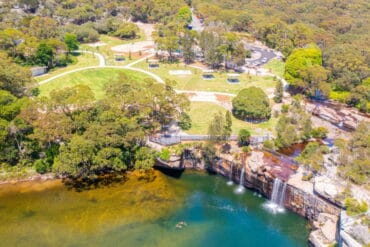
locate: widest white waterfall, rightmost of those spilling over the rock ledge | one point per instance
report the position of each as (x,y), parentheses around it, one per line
(276,204)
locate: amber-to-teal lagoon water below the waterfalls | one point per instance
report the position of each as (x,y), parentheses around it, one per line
(195,210)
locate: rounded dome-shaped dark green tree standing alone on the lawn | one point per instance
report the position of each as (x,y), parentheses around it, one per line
(251,103)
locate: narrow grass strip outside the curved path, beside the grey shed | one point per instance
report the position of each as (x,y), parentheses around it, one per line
(83,60)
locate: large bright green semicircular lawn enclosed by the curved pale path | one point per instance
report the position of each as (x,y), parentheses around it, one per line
(96,79)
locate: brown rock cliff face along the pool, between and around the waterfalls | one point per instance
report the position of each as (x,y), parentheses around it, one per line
(260,177)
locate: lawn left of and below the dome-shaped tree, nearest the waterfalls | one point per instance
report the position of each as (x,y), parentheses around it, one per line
(202,113)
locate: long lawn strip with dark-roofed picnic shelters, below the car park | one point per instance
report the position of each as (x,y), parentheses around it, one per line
(218,84)
